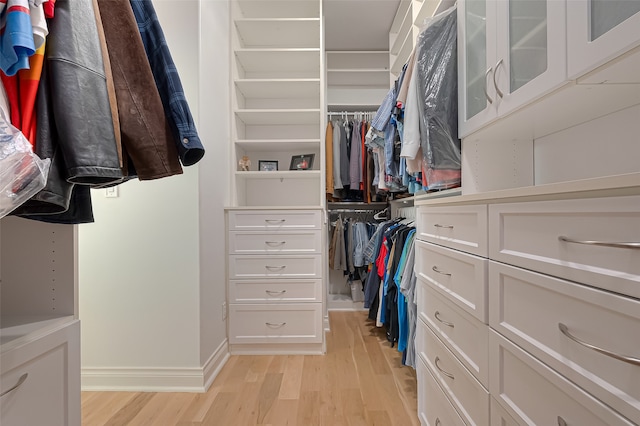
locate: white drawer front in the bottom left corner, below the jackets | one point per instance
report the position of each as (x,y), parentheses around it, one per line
(50,394)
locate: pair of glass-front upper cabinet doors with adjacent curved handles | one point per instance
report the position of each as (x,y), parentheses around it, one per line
(510,53)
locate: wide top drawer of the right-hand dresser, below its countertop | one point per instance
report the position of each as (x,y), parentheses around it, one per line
(527,235)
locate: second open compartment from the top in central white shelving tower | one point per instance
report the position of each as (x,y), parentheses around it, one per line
(287,32)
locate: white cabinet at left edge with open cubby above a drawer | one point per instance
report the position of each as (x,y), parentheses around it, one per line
(39,327)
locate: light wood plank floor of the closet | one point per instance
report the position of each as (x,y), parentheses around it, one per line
(359,382)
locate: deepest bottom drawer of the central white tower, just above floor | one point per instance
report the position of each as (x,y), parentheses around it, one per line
(290,323)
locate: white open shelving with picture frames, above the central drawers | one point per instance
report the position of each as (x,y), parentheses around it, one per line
(277,102)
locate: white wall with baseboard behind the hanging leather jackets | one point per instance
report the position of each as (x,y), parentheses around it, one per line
(151,267)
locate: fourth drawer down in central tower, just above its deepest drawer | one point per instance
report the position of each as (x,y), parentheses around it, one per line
(270,291)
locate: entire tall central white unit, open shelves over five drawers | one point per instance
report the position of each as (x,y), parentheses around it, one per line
(275,220)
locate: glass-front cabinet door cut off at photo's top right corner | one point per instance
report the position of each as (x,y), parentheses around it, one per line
(599,31)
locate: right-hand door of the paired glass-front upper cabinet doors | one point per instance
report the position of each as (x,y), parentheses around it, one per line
(531,51)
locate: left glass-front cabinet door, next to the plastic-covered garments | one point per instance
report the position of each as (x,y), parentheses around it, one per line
(476,58)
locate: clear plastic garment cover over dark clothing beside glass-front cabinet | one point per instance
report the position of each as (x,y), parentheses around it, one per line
(437,81)
